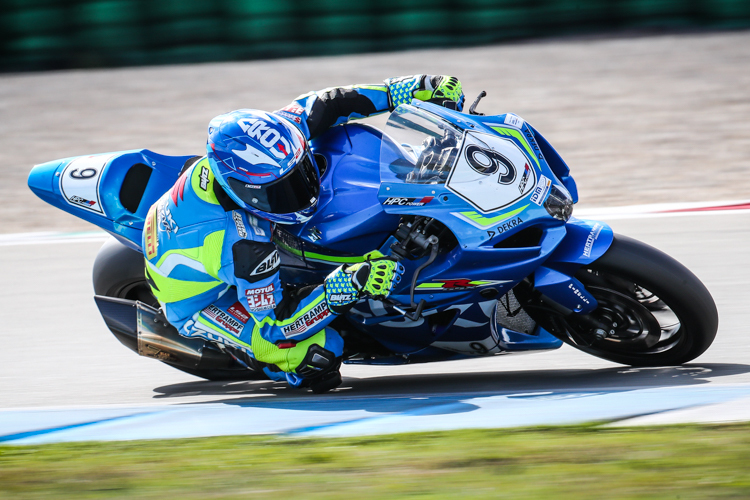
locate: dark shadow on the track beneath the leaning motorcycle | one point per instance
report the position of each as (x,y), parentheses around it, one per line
(454,384)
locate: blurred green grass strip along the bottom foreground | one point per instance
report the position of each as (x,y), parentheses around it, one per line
(581,462)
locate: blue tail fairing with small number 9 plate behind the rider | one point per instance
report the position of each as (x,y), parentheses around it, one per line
(91,186)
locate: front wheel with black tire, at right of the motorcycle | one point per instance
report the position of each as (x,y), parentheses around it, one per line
(664,315)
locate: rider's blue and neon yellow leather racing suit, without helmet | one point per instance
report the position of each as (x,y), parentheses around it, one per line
(214,268)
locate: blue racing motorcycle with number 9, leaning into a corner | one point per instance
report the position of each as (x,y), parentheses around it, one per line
(477,208)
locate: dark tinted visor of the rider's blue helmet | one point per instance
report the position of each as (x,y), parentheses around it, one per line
(297,190)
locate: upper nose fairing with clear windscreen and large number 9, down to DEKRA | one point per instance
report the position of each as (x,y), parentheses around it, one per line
(482,208)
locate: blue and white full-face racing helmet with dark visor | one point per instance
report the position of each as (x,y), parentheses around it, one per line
(264,164)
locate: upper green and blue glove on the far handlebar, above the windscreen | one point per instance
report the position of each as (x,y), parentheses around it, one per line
(443,90)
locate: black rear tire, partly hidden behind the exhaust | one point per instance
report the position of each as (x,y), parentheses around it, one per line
(119,272)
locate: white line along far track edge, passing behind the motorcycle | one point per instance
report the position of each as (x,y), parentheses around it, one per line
(607,213)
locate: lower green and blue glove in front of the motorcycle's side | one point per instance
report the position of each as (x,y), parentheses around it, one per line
(373,278)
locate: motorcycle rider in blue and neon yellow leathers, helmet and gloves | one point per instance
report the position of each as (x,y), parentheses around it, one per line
(210,259)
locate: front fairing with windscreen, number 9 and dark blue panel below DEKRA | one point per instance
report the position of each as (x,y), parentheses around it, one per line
(495,209)
